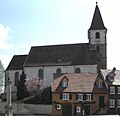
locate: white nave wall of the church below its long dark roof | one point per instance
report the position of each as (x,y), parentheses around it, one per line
(32,72)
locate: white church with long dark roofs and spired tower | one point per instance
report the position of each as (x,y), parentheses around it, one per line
(43,61)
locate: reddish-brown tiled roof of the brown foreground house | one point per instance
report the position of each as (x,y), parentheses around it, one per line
(76,83)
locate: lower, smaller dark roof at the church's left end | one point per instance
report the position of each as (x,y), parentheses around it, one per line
(17,62)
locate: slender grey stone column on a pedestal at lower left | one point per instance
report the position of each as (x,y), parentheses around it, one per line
(8,106)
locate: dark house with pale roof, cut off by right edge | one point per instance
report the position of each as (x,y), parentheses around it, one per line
(112,79)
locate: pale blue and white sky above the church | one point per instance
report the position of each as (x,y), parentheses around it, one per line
(26,23)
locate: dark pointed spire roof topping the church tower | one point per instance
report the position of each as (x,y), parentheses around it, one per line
(97,22)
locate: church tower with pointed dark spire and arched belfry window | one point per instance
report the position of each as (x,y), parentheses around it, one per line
(97,38)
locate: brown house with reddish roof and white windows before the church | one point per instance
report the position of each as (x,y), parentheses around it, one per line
(77,94)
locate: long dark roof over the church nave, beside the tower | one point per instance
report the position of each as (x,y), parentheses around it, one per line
(66,54)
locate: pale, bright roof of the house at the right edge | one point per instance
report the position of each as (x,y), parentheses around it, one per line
(116,78)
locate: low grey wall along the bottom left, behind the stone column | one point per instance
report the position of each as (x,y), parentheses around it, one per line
(27,109)
